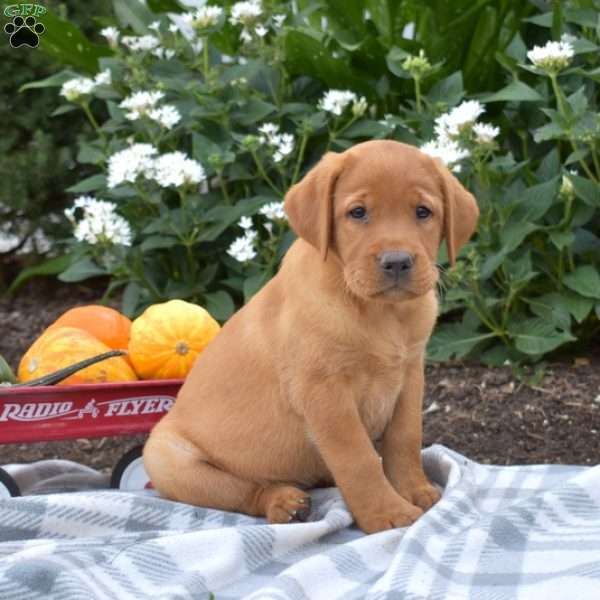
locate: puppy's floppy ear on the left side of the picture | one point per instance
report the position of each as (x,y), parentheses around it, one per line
(309,203)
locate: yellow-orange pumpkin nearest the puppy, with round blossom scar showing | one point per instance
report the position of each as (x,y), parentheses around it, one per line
(167,338)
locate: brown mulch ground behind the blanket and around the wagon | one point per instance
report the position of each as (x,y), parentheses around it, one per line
(486,414)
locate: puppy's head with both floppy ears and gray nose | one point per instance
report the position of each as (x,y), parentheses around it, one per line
(382,209)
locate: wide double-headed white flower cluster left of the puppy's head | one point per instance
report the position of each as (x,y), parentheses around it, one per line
(141,160)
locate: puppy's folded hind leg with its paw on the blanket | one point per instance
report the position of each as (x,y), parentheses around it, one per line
(180,471)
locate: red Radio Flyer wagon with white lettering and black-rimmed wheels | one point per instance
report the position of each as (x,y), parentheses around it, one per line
(47,413)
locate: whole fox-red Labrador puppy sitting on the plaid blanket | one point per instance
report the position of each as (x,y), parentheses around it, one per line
(318,380)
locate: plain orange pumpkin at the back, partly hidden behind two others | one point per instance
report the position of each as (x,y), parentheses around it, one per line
(105,324)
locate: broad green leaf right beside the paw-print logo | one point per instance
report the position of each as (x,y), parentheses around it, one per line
(65,42)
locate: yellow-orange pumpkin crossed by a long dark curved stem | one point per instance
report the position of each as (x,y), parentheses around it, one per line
(63,346)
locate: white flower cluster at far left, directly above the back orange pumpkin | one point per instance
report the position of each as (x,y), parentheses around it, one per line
(100,223)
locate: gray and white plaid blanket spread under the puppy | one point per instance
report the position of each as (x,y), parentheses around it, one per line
(531,533)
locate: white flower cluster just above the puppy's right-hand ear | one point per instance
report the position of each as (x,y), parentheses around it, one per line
(456,128)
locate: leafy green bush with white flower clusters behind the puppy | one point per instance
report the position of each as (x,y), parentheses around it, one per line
(202,120)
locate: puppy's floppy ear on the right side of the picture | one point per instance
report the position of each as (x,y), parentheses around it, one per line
(460,212)
